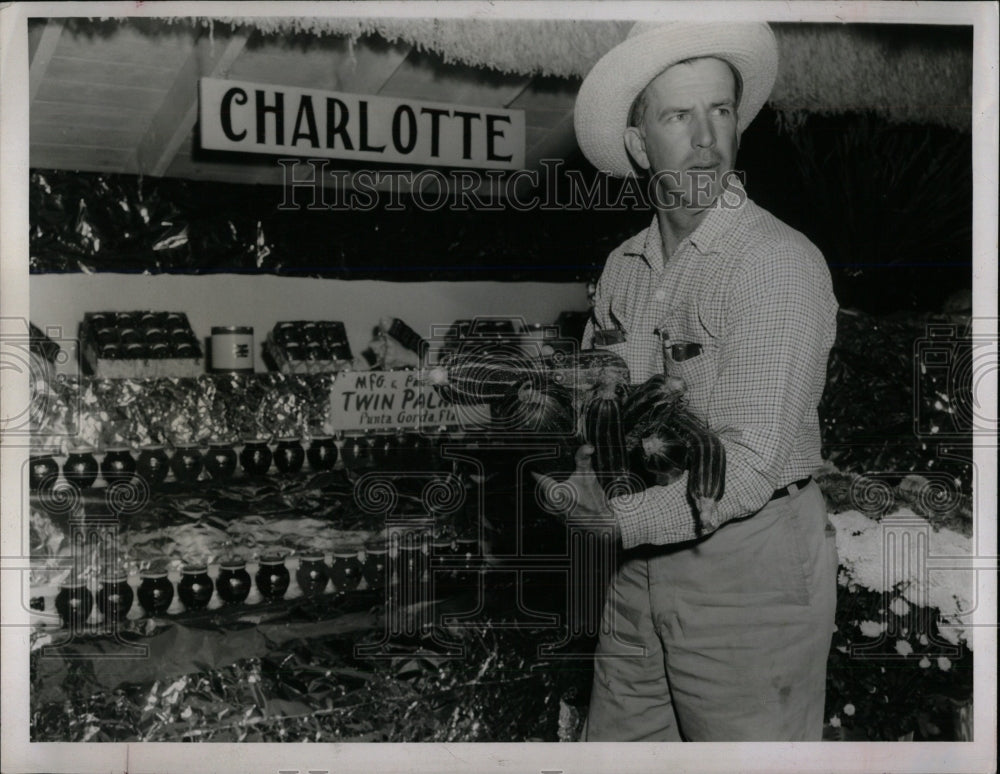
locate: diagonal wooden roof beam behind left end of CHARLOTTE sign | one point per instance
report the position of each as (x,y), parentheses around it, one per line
(176,116)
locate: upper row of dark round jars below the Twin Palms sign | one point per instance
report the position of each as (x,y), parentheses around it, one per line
(220,461)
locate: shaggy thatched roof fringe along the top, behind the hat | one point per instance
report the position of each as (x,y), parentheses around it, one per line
(903,73)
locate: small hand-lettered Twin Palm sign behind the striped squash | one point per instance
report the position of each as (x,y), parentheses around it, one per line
(386,400)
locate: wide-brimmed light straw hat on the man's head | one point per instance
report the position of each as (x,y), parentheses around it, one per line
(608,91)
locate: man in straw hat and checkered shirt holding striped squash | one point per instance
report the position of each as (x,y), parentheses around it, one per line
(726,636)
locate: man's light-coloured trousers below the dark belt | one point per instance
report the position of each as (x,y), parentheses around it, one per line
(723,640)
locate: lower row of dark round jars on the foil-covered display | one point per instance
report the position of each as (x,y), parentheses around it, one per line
(80,604)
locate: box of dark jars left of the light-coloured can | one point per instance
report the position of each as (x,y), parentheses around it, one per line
(145,344)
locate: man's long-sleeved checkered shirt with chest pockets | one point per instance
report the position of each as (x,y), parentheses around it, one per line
(757,296)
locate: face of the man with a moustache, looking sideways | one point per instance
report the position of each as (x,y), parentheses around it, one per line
(687,136)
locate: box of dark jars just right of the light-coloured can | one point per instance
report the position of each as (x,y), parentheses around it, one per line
(309,346)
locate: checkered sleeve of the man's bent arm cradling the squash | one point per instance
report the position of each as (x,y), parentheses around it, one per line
(772,356)
